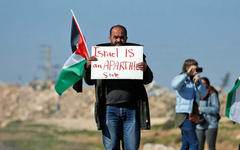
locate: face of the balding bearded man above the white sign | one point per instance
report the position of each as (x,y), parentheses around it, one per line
(118,36)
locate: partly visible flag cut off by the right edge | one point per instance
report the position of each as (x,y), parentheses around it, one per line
(233,103)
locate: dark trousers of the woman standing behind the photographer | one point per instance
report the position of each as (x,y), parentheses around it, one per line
(210,135)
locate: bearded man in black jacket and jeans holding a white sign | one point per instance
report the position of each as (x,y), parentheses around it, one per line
(121,108)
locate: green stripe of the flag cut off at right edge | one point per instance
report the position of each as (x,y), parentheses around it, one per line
(231,99)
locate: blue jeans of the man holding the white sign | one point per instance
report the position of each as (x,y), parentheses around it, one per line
(121,124)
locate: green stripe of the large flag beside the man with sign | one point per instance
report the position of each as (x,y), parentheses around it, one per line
(69,76)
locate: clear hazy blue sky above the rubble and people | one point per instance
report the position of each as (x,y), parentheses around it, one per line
(170,30)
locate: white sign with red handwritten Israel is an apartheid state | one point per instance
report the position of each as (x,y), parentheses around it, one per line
(116,62)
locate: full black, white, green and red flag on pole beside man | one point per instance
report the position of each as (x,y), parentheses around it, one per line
(72,70)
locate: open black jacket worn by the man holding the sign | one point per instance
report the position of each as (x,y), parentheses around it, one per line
(142,99)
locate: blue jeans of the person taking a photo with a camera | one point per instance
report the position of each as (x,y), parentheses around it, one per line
(189,136)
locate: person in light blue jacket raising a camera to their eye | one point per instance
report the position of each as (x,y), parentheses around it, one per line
(189,89)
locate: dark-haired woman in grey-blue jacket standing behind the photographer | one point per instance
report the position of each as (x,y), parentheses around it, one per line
(209,108)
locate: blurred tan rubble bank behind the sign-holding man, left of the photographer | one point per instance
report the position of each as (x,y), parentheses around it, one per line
(38,101)
